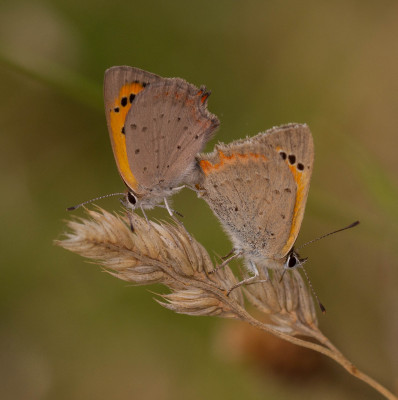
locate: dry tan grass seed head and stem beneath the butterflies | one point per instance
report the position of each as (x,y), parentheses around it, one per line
(167,254)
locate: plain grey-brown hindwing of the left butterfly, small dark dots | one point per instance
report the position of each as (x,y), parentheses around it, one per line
(168,125)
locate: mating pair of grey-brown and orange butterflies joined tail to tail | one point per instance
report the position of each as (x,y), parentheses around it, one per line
(257,187)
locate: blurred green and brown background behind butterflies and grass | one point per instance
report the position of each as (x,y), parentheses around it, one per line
(70,331)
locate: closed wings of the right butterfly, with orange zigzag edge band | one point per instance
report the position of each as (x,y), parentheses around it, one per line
(258,188)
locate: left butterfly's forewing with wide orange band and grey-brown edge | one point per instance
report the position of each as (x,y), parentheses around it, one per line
(121,85)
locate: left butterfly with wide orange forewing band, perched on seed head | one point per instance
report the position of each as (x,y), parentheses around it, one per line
(157,126)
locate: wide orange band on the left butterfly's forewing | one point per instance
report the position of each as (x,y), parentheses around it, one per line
(118,113)
